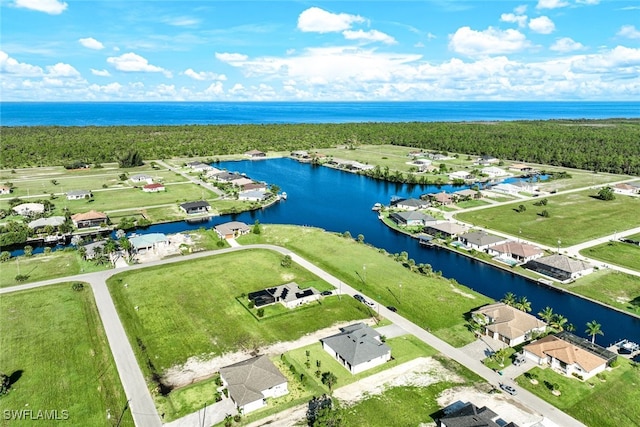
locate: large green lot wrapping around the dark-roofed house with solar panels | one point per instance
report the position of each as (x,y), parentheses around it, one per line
(190,309)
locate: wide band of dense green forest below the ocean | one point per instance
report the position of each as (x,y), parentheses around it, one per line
(598,145)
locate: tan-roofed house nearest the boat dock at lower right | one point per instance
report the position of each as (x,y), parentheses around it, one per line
(569,355)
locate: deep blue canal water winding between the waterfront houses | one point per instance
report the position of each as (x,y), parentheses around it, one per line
(340,201)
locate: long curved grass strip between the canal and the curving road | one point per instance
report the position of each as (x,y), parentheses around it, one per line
(378,275)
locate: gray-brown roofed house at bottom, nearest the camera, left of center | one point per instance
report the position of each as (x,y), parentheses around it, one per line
(247,380)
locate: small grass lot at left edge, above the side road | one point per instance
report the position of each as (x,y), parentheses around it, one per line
(42,267)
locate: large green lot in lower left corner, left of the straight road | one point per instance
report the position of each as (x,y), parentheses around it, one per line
(56,352)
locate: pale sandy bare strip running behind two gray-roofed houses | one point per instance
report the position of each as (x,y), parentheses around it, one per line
(196,368)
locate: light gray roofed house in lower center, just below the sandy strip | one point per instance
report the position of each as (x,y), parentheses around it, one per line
(357,343)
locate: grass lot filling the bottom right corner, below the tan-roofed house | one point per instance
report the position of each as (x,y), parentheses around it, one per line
(610,402)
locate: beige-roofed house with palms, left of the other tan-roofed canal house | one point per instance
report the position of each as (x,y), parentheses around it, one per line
(507,324)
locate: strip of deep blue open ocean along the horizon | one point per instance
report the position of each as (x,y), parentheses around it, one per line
(217,113)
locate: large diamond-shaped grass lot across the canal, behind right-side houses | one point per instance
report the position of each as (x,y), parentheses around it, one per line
(573,218)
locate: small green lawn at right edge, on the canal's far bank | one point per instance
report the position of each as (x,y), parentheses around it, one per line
(617,289)
